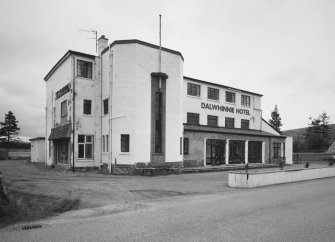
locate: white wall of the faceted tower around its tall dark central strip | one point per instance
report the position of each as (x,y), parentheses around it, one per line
(131,101)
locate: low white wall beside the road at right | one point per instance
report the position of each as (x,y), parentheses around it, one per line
(264,178)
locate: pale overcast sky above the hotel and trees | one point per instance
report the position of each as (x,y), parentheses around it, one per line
(281,49)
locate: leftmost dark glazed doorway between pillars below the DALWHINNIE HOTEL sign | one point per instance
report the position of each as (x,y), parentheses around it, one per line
(215,152)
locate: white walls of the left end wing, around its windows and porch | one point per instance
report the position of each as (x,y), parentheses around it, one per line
(86,88)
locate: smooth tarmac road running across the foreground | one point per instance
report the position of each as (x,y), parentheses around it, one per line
(303,211)
